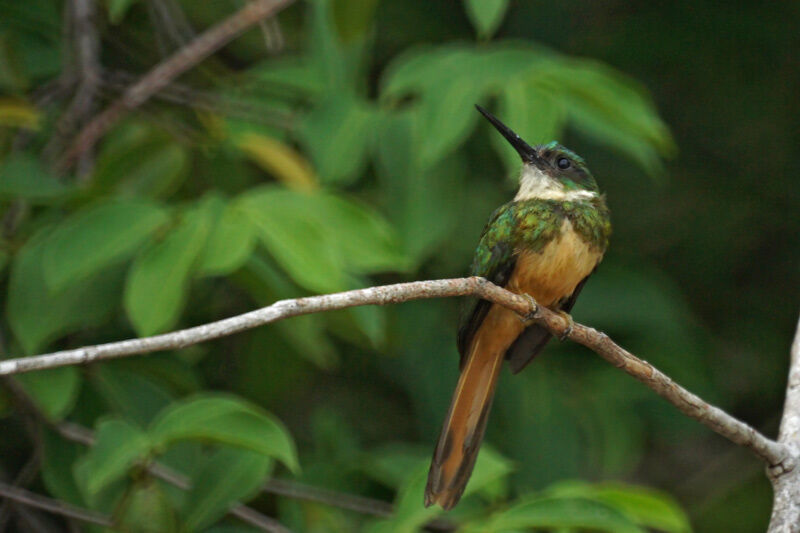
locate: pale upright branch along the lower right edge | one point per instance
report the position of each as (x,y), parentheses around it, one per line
(786,481)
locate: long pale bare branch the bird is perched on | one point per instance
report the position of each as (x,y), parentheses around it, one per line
(775,454)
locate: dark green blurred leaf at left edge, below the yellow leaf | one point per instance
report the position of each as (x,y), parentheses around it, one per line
(23,176)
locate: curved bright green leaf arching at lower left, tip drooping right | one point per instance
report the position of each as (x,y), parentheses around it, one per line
(225,420)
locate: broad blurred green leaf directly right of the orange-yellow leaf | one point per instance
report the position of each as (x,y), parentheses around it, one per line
(336,134)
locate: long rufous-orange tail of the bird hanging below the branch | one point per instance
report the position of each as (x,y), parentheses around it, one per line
(457,449)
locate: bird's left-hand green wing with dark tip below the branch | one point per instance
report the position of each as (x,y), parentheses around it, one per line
(494,260)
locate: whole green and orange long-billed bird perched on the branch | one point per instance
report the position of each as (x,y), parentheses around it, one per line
(543,245)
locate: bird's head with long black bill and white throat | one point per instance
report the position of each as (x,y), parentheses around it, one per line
(549,171)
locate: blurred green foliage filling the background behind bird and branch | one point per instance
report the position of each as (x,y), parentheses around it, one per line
(351,157)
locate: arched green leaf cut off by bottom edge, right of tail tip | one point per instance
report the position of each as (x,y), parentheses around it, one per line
(558,513)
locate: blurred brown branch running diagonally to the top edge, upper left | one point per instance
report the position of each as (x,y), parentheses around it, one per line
(162,74)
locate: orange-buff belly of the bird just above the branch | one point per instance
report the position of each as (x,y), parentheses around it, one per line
(553,272)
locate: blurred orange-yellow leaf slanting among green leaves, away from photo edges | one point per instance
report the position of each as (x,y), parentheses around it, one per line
(279,159)
